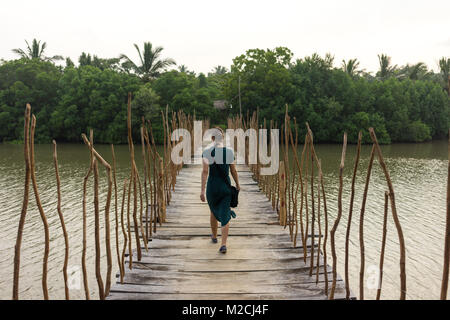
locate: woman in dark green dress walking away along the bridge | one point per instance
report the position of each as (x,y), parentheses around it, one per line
(218,161)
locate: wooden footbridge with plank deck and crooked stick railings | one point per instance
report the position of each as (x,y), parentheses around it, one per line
(265,260)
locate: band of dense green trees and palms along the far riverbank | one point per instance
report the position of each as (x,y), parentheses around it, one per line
(403,103)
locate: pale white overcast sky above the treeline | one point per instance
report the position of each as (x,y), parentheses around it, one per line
(202,34)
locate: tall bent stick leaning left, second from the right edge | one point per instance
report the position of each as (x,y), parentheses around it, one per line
(398,226)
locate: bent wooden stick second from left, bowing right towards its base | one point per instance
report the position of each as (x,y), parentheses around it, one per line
(41,211)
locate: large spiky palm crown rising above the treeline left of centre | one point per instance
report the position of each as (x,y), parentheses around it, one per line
(151,64)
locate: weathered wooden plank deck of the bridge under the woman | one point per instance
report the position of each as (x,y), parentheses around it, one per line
(182,262)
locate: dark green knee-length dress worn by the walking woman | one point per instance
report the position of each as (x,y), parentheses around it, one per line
(218,193)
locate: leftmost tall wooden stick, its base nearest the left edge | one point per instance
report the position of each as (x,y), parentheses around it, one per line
(23,213)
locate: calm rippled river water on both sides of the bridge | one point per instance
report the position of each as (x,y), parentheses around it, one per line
(418,172)
